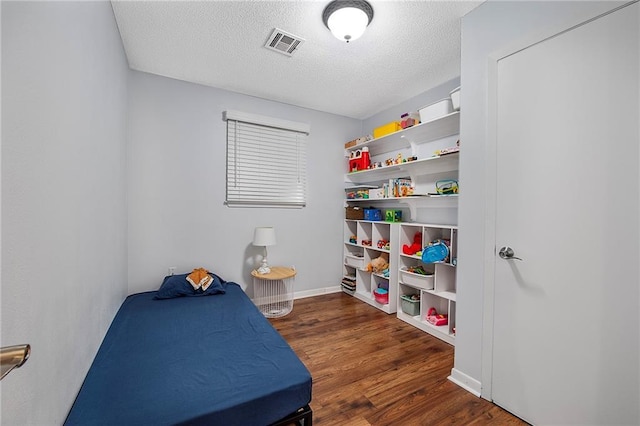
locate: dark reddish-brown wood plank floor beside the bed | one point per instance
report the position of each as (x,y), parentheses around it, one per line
(370,368)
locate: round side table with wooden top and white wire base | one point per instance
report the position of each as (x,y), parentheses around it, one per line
(273,292)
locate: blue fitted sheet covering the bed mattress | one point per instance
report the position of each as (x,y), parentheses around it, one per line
(211,360)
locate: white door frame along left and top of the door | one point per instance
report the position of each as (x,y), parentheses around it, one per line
(490,161)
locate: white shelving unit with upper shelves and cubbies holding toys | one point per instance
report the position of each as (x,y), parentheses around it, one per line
(437,288)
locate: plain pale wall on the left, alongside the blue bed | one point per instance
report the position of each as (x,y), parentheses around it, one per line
(63,197)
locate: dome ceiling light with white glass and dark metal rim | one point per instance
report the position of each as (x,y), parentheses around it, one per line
(347,19)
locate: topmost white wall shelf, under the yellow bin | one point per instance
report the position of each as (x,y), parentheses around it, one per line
(429,131)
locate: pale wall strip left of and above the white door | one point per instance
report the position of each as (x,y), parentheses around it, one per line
(493,26)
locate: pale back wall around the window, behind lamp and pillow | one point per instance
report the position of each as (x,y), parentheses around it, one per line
(177,169)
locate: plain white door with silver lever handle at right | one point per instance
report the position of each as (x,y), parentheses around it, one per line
(566,316)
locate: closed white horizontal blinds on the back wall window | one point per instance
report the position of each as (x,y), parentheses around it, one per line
(266,161)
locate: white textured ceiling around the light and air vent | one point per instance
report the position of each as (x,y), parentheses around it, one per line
(409,47)
